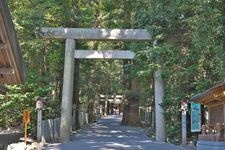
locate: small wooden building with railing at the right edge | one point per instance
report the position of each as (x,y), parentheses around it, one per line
(212,135)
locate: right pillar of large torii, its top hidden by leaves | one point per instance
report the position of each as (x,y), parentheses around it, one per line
(159,112)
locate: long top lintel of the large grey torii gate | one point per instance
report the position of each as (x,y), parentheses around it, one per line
(94,34)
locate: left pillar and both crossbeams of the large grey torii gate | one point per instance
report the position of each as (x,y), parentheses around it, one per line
(72,34)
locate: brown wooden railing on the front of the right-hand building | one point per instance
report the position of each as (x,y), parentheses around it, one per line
(212,133)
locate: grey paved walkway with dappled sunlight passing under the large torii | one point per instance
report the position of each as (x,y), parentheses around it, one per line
(107,134)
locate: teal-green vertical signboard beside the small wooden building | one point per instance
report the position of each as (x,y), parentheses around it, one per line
(195,117)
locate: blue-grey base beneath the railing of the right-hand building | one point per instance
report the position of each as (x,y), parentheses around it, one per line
(210,145)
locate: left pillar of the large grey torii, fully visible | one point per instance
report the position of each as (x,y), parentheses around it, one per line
(66,108)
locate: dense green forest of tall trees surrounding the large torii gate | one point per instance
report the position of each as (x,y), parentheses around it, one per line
(187,45)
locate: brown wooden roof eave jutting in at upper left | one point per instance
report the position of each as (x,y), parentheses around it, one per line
(12,69)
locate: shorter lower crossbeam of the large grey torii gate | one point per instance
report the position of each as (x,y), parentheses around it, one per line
(104,54)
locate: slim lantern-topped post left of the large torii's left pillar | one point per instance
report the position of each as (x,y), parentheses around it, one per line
(39,106)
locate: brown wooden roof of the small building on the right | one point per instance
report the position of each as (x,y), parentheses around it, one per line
(211,96)
